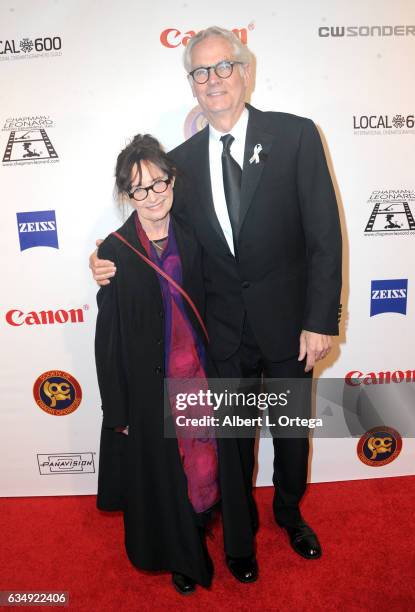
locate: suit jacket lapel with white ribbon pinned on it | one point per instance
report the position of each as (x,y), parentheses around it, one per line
(252,171)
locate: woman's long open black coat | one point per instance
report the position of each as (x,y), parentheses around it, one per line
(142,473)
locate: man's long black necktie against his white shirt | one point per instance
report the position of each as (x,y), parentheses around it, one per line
(232,175)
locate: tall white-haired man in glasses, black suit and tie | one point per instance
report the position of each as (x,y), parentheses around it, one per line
(256,189)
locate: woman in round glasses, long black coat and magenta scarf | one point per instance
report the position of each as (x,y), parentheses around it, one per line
(148,329)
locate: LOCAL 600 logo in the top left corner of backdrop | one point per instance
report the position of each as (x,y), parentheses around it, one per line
(18,49)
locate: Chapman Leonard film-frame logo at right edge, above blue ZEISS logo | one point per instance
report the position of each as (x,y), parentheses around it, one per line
(391,213)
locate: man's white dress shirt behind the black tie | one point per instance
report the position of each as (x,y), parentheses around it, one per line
(216,178)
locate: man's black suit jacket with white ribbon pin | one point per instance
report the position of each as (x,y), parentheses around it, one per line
(288,273)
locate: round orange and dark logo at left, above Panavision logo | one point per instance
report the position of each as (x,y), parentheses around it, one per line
(57,392)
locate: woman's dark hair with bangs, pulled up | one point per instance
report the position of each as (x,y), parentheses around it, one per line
(143,148)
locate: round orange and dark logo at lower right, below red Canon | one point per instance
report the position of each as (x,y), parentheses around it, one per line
(379,446)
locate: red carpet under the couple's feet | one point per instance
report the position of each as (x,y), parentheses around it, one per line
(366,529)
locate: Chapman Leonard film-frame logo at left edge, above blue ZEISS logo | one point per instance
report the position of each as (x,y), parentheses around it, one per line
(28,141)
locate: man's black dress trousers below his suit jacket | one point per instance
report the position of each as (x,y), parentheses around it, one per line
(237,458)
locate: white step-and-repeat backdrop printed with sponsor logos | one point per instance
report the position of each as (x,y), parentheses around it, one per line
(78,79)
